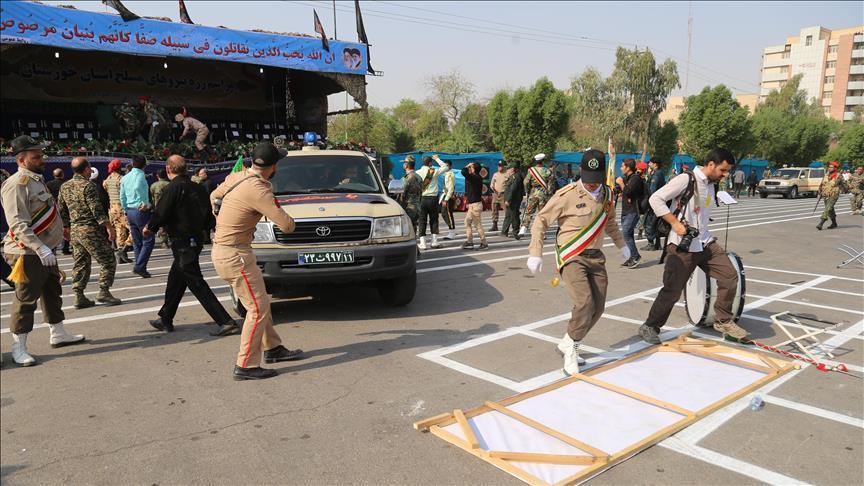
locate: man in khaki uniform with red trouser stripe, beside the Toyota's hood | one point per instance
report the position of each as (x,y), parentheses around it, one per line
(239,204)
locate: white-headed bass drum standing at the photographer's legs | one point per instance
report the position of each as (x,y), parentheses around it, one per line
(700,295)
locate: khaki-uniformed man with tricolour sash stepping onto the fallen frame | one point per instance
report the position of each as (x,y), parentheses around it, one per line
(583,211)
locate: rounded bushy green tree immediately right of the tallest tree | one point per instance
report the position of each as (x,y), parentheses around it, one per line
(714,119)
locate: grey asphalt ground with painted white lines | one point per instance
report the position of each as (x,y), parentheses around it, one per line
(136,406)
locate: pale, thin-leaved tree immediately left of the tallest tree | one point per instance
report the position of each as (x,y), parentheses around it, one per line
(599,110)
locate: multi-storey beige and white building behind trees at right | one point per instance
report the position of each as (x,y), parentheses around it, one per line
(831,63)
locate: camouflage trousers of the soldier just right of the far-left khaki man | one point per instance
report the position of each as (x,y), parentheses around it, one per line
(88,243)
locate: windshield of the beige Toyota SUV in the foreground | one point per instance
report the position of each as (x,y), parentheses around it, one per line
(308,174)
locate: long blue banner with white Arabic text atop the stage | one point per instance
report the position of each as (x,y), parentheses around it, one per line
(32,23)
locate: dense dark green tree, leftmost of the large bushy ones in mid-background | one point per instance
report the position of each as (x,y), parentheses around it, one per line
(528,121)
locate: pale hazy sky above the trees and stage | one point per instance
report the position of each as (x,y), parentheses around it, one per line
(507,45)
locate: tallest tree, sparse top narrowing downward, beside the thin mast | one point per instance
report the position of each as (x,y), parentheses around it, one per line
(646,87)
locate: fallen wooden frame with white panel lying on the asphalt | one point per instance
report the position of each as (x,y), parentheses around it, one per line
(544,437)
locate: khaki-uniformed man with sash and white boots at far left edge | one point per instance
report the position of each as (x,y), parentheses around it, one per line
(34,229)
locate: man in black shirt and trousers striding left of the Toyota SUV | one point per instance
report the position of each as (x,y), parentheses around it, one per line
(184,212)
